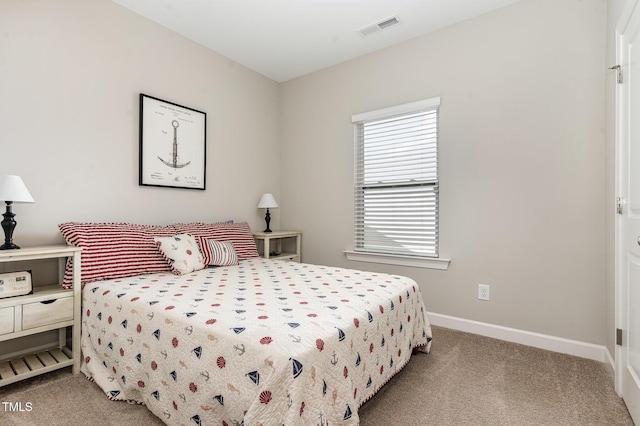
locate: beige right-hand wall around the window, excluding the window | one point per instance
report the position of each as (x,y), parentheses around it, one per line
(521,162)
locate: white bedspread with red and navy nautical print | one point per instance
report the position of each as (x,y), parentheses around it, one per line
(265,342)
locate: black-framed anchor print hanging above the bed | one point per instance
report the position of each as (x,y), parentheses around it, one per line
(172,144)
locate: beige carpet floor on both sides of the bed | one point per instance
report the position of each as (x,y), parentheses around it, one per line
(465,380)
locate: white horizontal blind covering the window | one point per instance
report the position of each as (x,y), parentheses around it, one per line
(396,180)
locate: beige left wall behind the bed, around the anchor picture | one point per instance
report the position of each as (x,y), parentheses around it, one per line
(71,72)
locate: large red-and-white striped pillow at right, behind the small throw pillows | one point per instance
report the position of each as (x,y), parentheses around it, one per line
(239,234)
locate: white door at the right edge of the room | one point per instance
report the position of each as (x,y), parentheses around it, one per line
(628,222)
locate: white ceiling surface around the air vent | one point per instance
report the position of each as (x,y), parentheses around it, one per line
(284,39)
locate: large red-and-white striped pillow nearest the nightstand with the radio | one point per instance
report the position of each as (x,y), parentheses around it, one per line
(115,250)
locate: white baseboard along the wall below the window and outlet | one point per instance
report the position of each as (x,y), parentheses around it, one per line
(537,340)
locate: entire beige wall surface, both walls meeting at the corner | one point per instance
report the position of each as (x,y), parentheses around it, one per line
(523,178)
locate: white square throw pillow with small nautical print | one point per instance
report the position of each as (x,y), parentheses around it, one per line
(182,253)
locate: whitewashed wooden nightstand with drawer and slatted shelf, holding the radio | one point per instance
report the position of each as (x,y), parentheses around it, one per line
(49,307)
